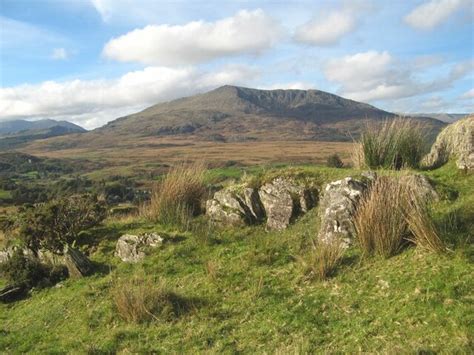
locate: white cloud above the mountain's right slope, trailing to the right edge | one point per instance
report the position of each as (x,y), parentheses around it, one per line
(373,75)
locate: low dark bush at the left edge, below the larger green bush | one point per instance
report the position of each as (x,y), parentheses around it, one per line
(28,271)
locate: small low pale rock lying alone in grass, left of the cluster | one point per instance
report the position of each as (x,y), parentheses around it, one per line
(132,248)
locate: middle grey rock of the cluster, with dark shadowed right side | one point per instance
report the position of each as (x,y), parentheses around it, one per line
(284,200)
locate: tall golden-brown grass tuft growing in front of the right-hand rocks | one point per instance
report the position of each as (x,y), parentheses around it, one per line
(380,219)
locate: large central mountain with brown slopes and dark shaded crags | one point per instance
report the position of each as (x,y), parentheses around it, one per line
(232,113)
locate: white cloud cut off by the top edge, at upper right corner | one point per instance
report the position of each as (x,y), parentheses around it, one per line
(434,12)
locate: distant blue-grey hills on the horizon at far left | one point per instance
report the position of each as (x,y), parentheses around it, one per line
(19,126)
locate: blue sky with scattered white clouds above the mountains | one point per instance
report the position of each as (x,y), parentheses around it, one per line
(92,61)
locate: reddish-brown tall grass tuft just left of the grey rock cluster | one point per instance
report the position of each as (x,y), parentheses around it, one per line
(178,196)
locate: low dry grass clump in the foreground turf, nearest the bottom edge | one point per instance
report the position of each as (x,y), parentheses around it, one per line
(140,300)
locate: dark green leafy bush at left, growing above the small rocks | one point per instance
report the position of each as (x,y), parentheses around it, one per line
(55,224)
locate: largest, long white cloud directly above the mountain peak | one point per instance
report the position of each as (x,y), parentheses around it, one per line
(247,32)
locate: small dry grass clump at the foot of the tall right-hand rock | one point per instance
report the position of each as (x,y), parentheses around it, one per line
(323,260)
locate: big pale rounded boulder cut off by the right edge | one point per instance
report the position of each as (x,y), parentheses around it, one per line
(455,141)
